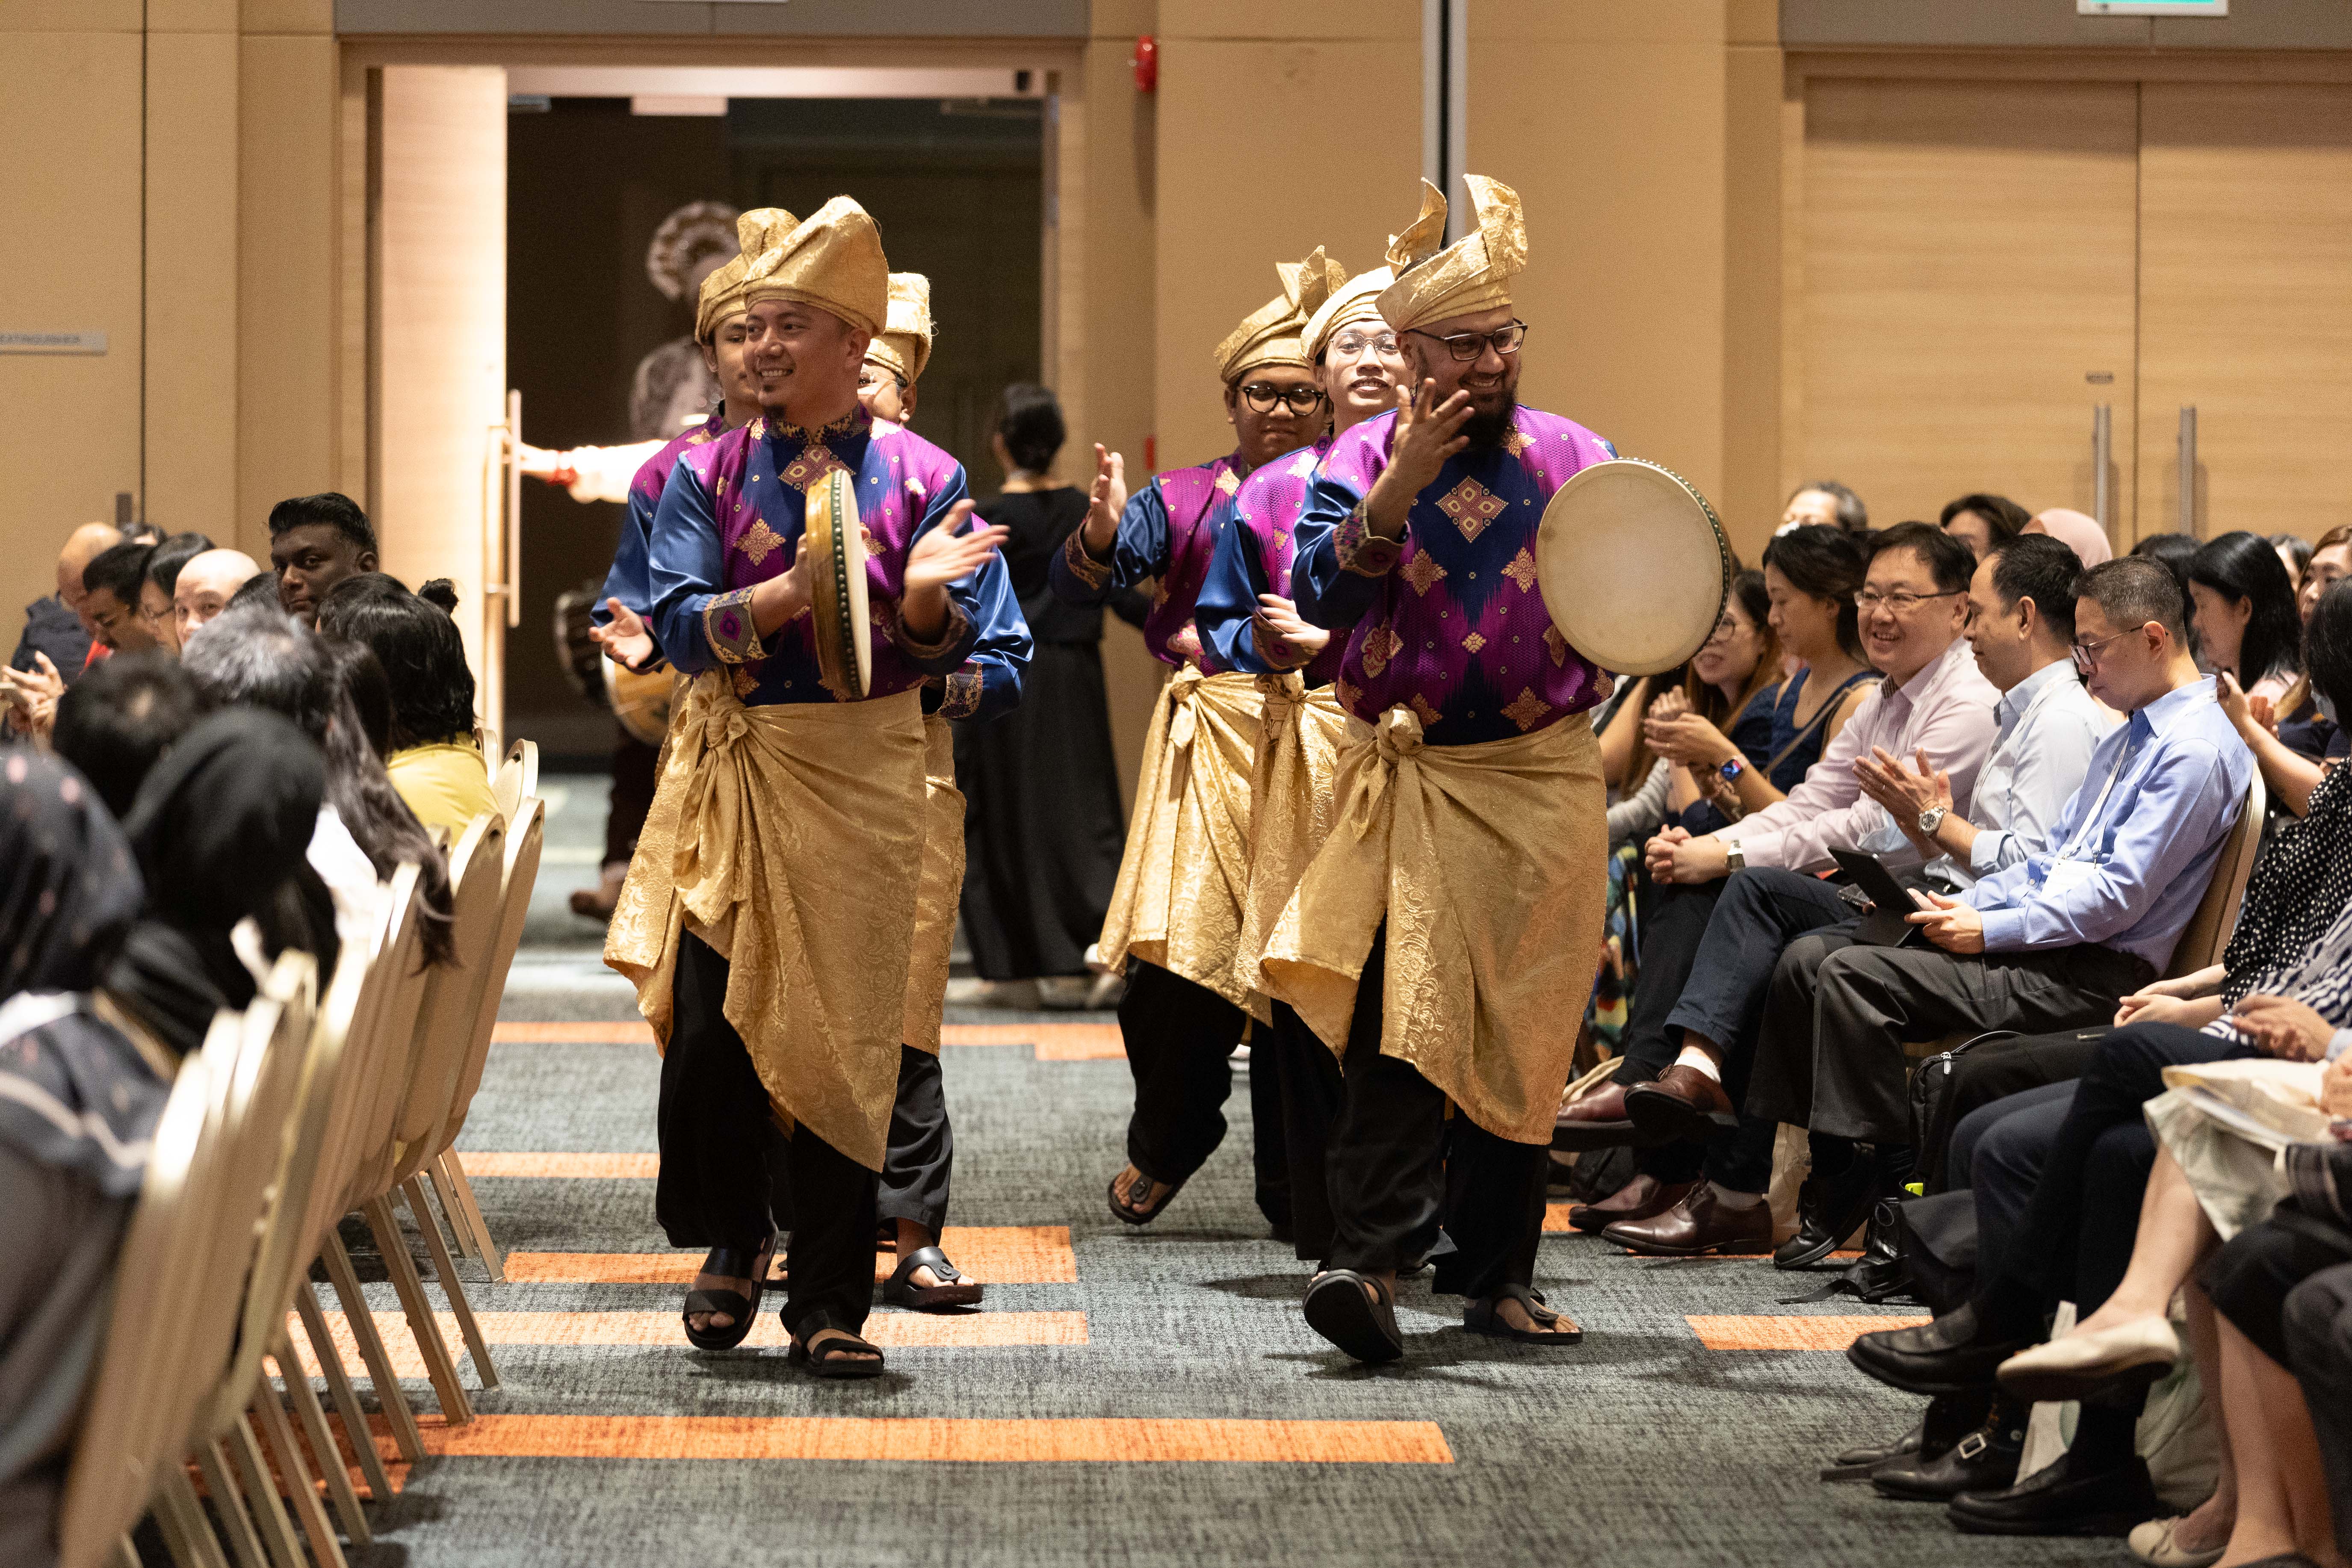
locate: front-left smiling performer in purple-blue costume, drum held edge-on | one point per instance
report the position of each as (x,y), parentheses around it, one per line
(770,911)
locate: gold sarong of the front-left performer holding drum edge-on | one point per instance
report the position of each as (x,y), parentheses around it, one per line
(791,840)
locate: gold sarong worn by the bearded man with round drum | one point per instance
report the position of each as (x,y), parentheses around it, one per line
(1490,866)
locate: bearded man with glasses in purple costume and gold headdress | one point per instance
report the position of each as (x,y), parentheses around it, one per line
(1452,918)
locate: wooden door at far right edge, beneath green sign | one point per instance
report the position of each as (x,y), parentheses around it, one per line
(2247,304)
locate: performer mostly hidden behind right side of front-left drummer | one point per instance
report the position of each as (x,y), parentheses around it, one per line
(921,1158)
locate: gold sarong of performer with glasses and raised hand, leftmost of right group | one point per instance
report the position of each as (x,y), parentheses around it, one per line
(1187,866)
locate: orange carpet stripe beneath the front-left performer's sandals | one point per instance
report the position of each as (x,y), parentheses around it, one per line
(622,1329)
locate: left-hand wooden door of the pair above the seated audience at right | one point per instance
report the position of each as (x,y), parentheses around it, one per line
(1970,290)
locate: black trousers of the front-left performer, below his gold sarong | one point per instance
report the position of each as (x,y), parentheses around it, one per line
(719,1141)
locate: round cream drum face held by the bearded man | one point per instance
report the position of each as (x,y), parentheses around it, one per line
(1633,565)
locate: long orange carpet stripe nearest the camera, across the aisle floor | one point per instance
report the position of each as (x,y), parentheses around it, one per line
(989,1442)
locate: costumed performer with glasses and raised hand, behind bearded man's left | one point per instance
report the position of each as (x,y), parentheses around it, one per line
(1177,906)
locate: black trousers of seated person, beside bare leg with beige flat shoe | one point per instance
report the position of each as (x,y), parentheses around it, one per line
(2076,1235)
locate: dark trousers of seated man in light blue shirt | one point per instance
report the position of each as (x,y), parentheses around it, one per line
(1840,1012)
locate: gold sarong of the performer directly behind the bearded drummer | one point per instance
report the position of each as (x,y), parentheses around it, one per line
(1290,812)
